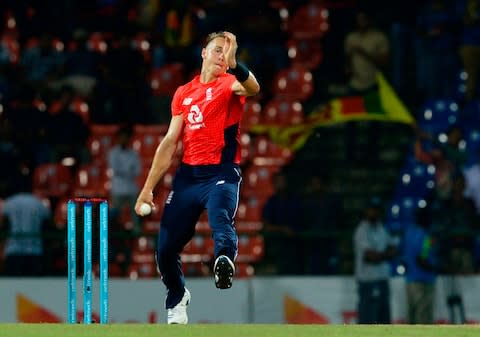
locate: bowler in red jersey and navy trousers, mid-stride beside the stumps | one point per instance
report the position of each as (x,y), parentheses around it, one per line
(206,115)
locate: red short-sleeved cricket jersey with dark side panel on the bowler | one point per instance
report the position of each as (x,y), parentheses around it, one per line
(211,115)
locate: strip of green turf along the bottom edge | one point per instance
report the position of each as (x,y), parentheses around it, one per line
(237,330)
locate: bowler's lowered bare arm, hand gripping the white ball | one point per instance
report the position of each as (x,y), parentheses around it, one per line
(161,162)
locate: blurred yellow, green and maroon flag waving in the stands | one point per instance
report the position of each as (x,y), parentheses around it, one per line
(381,104)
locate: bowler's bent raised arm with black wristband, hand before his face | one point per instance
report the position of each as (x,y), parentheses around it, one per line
(246,83)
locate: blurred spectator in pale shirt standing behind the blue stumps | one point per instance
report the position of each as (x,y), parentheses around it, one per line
(126,167)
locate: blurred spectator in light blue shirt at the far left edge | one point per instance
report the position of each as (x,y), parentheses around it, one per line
(24,217)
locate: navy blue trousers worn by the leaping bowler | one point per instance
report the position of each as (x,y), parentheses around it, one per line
(195,188)
